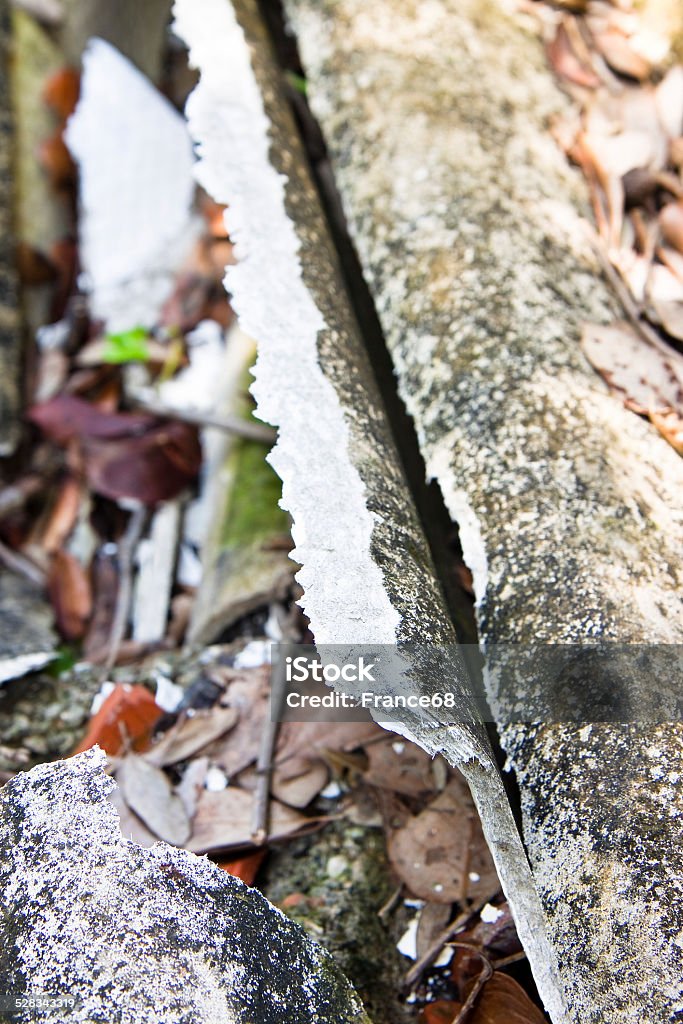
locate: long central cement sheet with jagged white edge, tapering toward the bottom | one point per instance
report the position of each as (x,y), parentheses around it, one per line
(367,570)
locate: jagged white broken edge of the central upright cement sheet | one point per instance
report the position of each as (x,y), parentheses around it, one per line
(345,593)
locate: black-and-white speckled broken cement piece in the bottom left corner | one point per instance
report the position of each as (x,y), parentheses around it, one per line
(141,936)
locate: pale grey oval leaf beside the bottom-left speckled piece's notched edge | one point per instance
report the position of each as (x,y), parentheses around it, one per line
(148,792)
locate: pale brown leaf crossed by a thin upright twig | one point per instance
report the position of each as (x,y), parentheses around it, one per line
(225,821)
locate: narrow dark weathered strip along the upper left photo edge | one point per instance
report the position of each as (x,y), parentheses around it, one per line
(10,321)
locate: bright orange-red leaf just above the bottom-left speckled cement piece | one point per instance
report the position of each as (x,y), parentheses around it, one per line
(127,716)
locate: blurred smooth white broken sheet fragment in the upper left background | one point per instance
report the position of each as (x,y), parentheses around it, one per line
(137,190)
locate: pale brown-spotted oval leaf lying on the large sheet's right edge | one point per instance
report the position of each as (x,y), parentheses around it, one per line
(643,376)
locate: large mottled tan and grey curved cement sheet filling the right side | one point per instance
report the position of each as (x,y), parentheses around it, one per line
(466,220)
